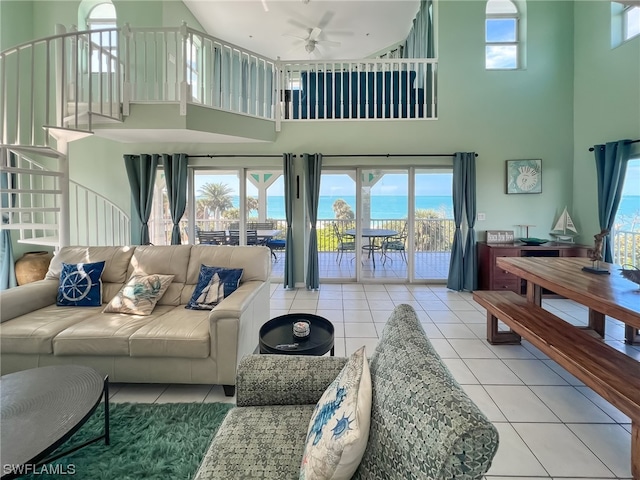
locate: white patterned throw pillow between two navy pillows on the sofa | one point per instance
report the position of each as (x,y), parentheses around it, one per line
(140,295)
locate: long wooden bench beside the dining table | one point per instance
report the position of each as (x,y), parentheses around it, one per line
(610,373)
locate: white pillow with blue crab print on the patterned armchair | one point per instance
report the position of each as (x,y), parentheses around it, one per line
(339,428)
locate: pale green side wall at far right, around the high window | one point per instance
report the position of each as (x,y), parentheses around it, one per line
(607,103)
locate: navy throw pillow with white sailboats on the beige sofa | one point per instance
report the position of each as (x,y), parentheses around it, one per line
(214,285)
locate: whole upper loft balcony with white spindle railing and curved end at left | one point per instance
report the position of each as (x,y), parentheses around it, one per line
(154,82)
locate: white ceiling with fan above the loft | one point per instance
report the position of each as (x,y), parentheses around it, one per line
(362,27)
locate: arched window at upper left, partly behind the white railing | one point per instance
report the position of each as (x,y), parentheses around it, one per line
(104,45)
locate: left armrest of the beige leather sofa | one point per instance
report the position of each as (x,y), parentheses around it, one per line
(27,298)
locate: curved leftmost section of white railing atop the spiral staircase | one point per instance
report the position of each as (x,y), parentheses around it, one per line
(58,82)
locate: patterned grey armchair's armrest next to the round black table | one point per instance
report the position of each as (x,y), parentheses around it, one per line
(284,379)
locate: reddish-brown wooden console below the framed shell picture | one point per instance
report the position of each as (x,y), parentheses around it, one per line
(492,277)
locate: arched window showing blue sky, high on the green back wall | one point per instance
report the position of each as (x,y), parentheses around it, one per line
(502,35)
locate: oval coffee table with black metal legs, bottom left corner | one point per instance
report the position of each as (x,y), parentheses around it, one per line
(43,407)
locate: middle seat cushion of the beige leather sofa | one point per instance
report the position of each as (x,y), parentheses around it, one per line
(103,333)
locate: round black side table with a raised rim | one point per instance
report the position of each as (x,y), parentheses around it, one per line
(276,336)
